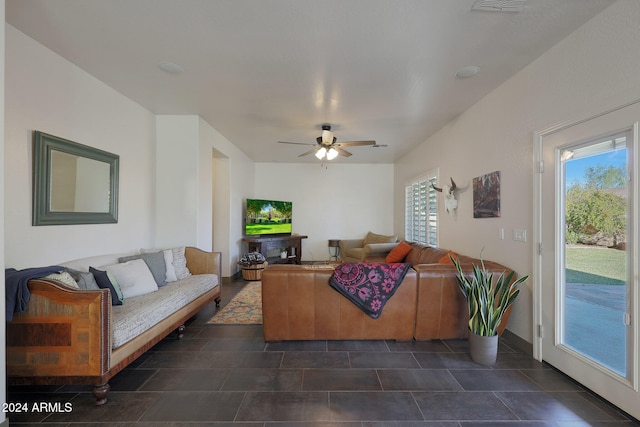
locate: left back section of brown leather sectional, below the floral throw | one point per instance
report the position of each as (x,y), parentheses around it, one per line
(299,304)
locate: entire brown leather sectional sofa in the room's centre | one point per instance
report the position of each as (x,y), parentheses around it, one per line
(299,304)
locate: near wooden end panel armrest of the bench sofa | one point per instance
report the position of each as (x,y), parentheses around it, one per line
(65,332)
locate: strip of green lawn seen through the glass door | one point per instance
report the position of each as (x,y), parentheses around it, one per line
(596,266)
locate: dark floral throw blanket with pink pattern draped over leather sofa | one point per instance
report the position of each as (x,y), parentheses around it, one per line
(368,285)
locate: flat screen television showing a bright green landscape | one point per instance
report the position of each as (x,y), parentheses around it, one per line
(267,217)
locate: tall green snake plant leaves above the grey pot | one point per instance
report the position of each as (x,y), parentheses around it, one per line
(487,299)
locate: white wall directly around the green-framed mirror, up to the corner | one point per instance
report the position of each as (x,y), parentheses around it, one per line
(47,93)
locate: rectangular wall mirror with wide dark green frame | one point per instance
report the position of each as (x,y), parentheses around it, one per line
(73,183)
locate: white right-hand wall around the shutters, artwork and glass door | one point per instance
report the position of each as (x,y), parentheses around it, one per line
(592,70)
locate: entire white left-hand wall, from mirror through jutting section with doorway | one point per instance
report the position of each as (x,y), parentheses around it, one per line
(166,166)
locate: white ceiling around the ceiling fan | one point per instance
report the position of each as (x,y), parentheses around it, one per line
(262,71)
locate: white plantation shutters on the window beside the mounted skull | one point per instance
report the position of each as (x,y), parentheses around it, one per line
(421,210)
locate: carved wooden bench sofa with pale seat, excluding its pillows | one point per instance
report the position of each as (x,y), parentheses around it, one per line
(67,335)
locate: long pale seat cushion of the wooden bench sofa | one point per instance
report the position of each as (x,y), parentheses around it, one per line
(140,313)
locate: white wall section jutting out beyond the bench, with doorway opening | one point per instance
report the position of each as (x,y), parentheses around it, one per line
(197,168)
